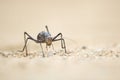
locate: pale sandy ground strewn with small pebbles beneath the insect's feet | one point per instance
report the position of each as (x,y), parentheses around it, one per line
(80,63)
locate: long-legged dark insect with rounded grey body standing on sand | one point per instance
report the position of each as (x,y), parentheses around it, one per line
(44,37)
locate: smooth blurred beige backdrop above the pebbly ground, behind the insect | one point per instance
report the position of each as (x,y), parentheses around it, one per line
(88,22)
